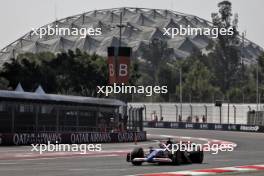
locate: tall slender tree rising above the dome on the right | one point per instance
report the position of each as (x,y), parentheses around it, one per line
(226,53)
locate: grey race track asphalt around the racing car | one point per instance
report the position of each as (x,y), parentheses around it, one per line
(249,150)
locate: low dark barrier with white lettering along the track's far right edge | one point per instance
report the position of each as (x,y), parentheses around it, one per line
(205,126)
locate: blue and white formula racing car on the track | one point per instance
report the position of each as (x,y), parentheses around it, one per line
(163,156)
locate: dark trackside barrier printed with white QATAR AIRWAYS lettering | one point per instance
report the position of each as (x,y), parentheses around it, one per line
(70,138)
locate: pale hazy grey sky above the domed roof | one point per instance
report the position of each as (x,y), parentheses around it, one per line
(18,17)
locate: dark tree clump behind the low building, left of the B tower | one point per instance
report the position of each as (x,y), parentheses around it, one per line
(68,73)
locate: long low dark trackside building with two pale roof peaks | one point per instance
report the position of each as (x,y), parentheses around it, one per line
(40,112)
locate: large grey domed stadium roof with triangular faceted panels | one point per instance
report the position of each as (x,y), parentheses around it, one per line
(141,26)
